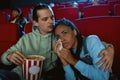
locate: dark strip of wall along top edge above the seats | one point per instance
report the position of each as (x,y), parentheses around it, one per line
(11,3)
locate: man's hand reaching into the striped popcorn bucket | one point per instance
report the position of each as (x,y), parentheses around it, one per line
(16,58)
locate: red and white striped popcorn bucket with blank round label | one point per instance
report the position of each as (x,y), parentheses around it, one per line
(32,67)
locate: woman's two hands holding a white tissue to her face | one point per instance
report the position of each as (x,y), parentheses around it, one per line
(64,54)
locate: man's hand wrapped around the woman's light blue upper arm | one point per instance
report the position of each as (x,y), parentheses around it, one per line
(107,60)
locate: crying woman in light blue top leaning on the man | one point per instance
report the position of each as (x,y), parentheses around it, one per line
(78,54)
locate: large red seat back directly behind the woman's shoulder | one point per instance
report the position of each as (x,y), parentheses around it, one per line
(104,26)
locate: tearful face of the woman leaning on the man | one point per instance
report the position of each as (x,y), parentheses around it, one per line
(67,36)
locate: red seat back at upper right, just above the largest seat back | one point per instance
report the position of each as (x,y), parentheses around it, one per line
(96,10)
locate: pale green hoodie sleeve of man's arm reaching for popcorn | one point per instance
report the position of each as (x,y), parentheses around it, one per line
(16,47)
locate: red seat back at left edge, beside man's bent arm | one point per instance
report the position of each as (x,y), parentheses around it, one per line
(9,35)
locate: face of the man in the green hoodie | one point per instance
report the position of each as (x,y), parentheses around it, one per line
(45,21)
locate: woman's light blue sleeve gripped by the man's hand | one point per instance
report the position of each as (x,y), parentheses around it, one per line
(94,46)
